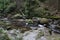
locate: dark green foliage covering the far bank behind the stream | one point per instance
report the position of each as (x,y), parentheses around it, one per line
(30,8)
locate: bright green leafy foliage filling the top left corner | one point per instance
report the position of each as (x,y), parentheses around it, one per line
(6,6)
